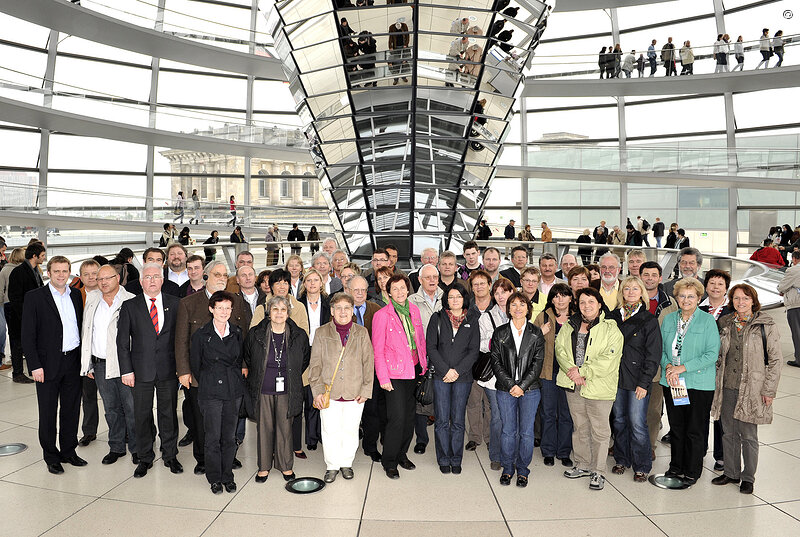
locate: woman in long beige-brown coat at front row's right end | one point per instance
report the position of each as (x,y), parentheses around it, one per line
(746,383)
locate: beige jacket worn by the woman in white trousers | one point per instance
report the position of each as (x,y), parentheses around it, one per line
(356,370)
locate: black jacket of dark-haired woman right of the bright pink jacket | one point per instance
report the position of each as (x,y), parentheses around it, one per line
(446,352)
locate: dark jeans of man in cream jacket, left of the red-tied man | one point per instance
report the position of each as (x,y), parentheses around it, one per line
(118,405)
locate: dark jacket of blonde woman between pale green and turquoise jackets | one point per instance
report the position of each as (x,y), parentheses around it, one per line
(641,352)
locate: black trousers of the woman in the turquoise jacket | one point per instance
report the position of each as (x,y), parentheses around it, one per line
(688,427)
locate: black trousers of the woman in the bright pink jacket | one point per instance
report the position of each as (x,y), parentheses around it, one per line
(400,411)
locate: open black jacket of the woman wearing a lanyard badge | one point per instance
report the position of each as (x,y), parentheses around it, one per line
(255,359)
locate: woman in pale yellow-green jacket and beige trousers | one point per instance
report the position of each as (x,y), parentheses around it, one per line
(588,351)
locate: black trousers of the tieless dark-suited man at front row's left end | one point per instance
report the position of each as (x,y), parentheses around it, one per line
(64,389)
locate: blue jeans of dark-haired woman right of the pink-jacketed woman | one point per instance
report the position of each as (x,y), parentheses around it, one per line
(450,408)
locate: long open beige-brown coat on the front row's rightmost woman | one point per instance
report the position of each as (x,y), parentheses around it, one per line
(757,380)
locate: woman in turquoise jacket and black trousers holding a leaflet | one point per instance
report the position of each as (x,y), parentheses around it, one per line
(689,351)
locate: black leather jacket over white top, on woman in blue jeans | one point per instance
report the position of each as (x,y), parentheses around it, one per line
(507,364)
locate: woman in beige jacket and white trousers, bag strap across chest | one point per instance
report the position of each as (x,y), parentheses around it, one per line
(341,348)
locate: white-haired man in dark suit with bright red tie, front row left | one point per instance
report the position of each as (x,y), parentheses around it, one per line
(146,351)
